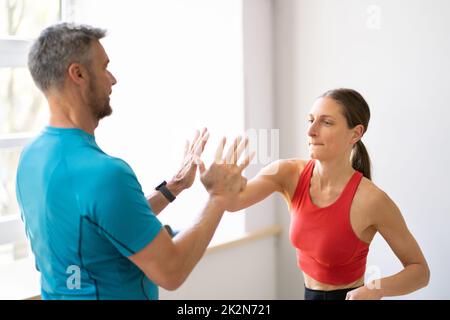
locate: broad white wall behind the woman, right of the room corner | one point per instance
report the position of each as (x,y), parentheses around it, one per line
(403,70)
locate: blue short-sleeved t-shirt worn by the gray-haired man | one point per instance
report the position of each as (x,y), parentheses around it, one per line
(84,213)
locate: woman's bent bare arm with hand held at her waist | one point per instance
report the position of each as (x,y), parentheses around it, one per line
(415,274)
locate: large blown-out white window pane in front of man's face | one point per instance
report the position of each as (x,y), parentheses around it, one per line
(179,67)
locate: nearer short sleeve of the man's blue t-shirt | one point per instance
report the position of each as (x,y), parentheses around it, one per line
(122,211)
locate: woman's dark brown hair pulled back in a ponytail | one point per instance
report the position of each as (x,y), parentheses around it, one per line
(356,111)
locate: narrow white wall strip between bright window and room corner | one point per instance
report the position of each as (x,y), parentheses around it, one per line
(258,34)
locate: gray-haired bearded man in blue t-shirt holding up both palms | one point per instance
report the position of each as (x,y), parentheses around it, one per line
(92,231)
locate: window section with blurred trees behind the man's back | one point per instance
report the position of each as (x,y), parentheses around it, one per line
(22,109)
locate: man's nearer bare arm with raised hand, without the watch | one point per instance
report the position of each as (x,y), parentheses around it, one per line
(168,262)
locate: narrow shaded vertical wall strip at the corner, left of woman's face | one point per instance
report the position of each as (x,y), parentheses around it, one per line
(289,278)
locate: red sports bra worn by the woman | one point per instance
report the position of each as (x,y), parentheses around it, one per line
(328,249)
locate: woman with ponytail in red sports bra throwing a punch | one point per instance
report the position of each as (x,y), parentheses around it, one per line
(336,209)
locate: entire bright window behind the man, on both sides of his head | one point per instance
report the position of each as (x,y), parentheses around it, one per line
(179,67)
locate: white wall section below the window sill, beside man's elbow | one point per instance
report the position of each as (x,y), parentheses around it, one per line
(245,272)
